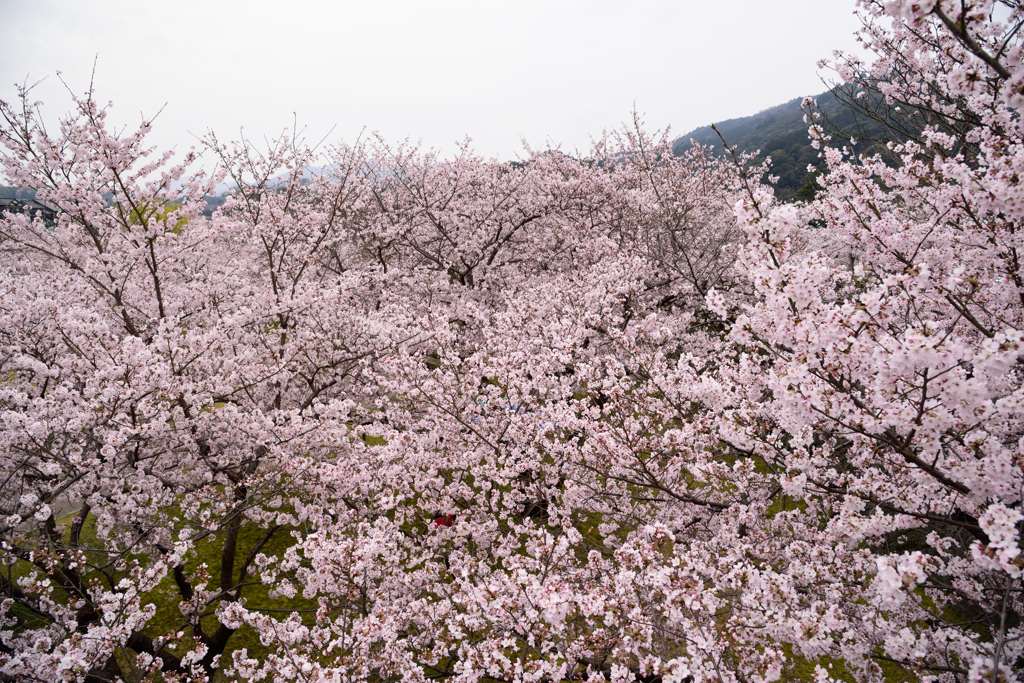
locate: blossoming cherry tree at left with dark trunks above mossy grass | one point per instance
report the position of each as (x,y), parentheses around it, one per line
(157,368)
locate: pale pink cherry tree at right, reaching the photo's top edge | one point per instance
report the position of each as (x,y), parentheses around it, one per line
(884,398)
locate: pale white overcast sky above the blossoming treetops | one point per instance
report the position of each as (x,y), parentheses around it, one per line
(549,72)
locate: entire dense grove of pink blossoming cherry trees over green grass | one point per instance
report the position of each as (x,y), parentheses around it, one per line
(615,418)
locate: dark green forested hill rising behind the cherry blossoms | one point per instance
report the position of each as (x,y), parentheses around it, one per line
(782,134)
